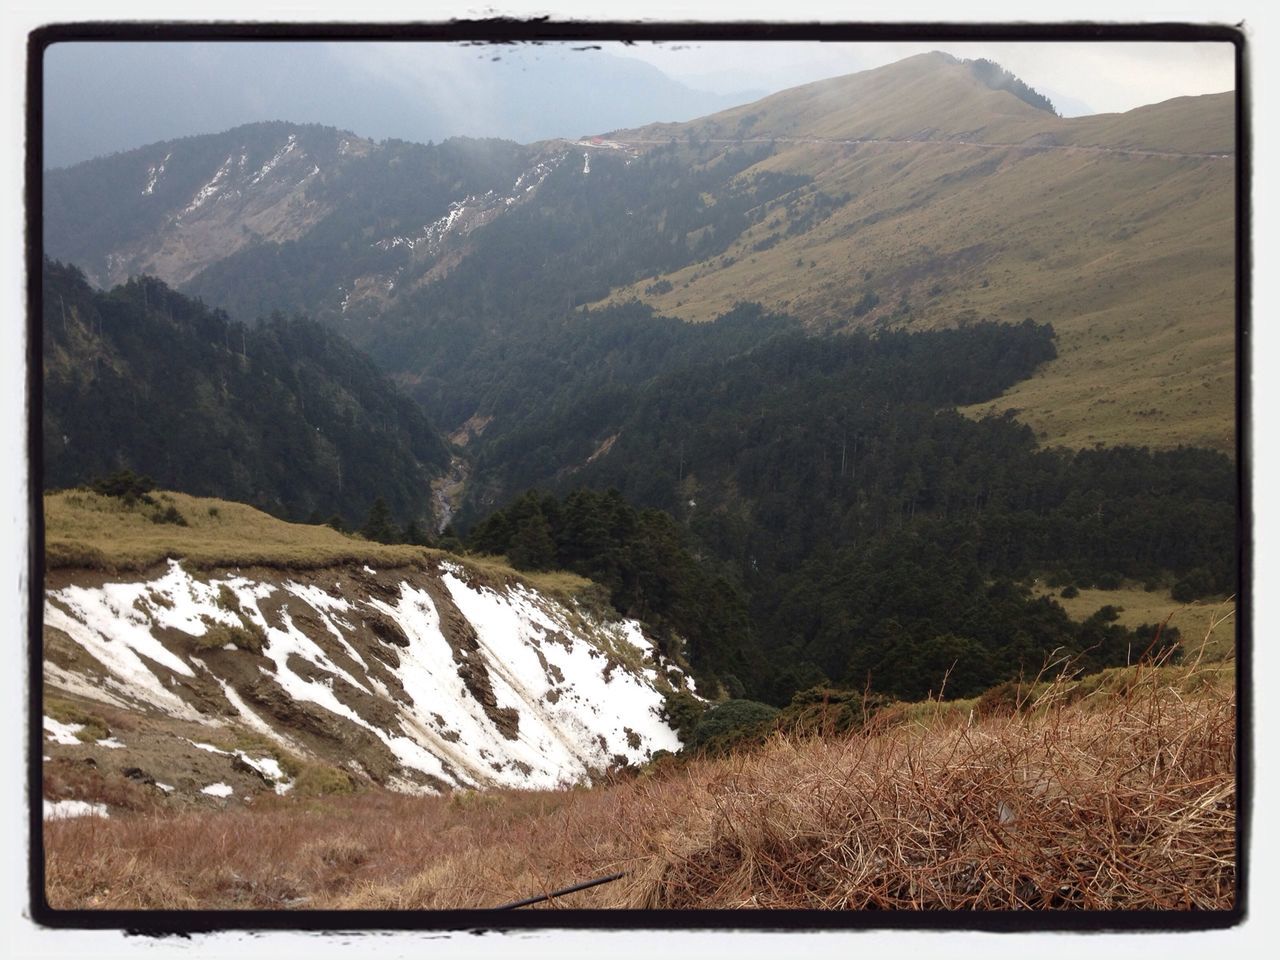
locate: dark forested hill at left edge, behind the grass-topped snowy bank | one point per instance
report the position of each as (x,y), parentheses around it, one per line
(285,415)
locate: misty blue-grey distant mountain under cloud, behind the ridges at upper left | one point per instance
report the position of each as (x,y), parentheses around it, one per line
(107,98)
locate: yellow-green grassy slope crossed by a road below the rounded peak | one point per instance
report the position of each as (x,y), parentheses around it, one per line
(1131,258)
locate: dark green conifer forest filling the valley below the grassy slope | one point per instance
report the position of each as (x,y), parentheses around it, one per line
(872,534)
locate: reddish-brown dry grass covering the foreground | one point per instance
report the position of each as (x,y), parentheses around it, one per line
(1117,802)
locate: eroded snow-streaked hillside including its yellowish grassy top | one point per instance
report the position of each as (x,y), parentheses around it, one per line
(217,683)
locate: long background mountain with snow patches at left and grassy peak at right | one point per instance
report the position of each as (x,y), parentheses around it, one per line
(927,194)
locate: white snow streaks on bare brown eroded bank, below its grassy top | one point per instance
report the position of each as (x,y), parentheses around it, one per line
(420,680)
